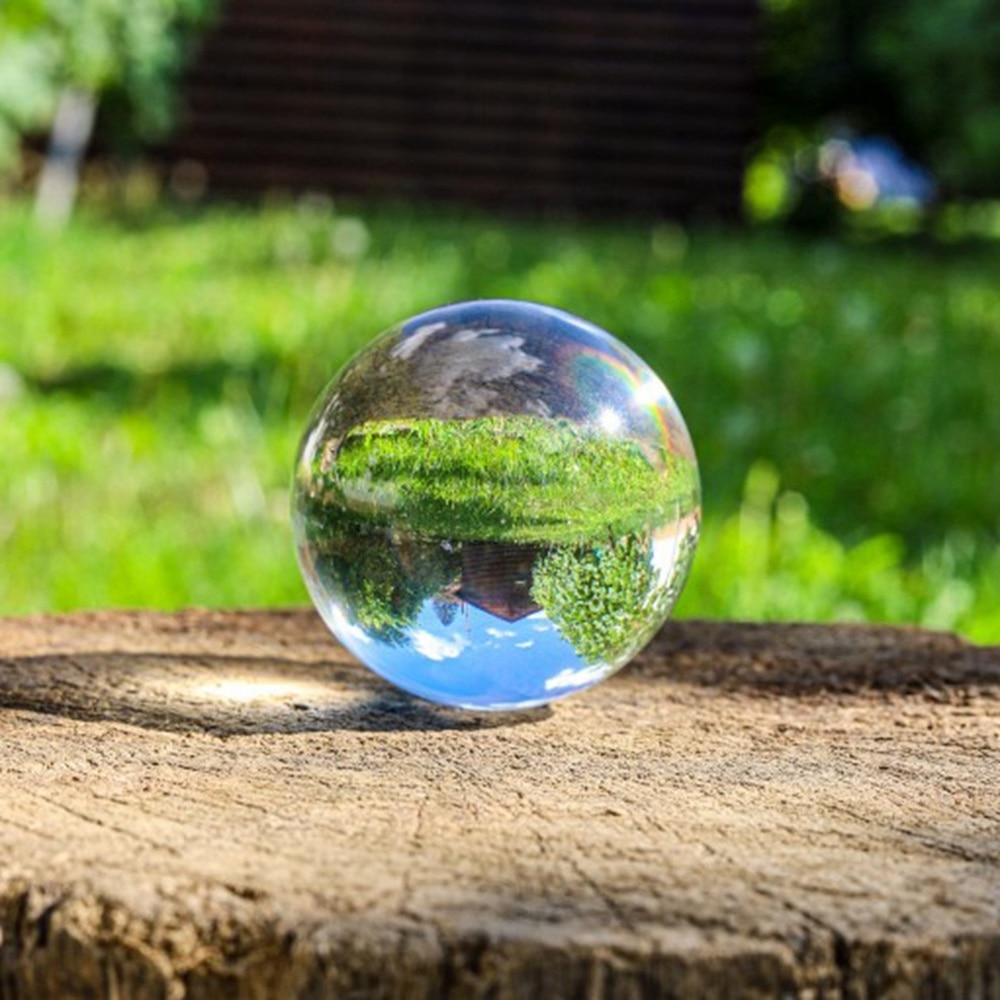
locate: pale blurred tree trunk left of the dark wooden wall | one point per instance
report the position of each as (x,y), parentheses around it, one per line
(60,179)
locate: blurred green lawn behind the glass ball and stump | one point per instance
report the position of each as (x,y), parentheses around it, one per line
(155,374)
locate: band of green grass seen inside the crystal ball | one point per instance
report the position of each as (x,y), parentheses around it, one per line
(502,479)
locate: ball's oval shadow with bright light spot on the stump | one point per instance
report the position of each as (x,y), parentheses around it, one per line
(233,695)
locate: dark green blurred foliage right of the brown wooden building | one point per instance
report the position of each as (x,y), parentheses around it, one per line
(927,75)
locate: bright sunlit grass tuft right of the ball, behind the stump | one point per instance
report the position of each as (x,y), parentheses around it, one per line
(770,561)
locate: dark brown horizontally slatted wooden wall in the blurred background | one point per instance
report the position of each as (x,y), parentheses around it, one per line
(625,106)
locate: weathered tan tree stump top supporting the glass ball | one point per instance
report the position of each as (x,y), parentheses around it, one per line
(225,805)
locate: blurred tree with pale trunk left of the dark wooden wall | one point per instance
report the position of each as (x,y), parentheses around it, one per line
(59,58)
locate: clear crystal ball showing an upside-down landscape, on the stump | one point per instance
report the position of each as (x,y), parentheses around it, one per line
(495,504)
